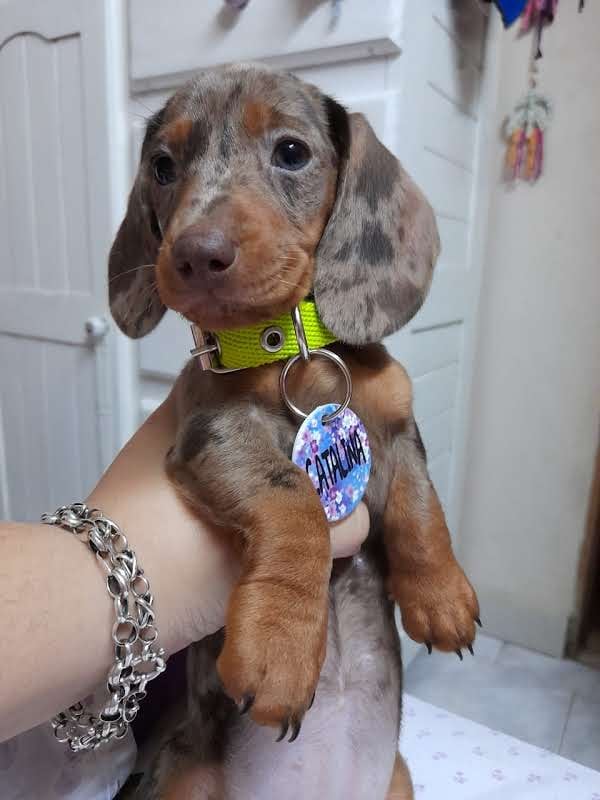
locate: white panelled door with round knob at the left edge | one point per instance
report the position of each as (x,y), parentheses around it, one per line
(55,427)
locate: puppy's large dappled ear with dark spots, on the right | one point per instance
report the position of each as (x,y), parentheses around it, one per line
(375,260)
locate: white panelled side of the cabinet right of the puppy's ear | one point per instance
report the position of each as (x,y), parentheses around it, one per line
(448,69)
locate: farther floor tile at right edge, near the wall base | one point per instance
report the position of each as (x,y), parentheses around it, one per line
(552,673)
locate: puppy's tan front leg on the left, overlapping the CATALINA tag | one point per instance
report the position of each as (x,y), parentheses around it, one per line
(227,466)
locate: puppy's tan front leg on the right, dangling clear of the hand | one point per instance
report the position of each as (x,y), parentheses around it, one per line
(437,602)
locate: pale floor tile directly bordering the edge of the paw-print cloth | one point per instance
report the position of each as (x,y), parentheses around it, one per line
(498,697)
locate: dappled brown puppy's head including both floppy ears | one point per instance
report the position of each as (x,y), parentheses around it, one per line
(255,190)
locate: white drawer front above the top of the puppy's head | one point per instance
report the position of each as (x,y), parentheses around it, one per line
(185,35)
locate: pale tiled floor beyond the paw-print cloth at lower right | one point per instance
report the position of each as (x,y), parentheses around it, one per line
(554,704)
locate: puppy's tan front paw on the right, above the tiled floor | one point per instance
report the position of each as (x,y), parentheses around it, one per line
(438,607)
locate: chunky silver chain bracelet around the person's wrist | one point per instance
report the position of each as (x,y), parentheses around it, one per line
(134,633)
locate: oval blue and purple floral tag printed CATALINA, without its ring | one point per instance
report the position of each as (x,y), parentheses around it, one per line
(337,458)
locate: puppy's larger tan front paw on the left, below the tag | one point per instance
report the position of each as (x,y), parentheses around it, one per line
(273,653)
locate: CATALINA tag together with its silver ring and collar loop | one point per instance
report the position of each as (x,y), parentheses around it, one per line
(331,445)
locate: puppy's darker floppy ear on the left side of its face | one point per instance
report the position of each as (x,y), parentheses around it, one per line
(134,301)
